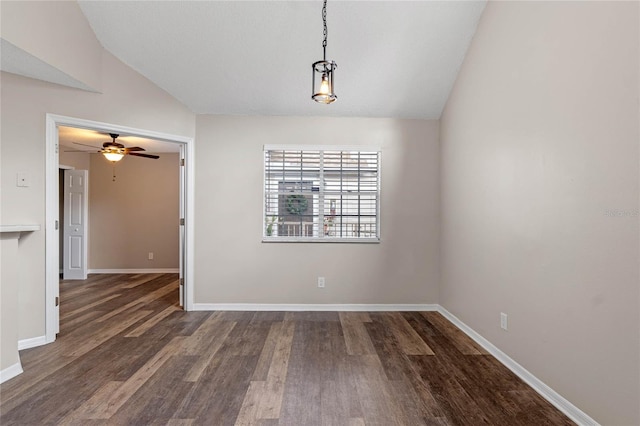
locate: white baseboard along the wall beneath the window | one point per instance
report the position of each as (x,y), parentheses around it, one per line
(310,307)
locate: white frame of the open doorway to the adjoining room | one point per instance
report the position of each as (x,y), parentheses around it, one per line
(52,250)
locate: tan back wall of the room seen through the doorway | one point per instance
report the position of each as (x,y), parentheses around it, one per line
(136,214)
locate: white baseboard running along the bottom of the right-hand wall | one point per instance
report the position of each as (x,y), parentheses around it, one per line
(573,412)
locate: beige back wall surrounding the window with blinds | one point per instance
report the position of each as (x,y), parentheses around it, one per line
(232,265)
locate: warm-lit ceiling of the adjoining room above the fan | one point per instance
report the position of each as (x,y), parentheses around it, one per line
(73,139)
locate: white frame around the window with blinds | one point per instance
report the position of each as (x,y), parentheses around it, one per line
(322,238)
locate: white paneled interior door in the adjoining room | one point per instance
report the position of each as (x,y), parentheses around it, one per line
(75,229)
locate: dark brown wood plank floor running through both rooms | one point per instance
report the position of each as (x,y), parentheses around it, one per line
(127,355)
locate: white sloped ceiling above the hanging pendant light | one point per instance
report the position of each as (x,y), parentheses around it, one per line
(395,58)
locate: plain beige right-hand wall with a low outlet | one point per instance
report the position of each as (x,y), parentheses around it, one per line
(540,196)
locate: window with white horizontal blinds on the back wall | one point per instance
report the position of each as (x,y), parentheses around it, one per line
(324,194)
